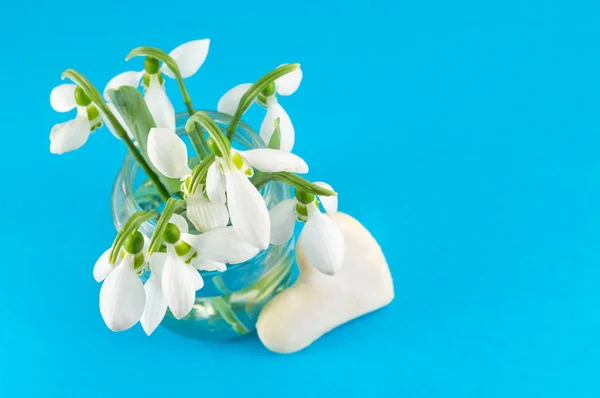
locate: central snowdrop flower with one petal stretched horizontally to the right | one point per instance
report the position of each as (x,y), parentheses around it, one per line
(228,178)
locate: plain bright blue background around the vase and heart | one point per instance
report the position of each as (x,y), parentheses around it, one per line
(465,135)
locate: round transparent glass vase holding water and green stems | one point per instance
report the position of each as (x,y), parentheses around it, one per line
(229,303)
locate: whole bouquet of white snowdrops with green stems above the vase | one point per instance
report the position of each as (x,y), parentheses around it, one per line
(213,214)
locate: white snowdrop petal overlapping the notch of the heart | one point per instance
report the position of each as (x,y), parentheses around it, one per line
(322,241)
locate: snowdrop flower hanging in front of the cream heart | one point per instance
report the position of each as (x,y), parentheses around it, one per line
(321,238)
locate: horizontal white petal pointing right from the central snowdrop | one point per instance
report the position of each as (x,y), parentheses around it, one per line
(274,160)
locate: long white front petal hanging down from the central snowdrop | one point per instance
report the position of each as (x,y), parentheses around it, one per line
(247,209)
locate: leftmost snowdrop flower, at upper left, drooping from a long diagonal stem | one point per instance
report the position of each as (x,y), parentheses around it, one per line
(71,135)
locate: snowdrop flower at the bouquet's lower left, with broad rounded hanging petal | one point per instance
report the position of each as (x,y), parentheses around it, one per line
(122,296)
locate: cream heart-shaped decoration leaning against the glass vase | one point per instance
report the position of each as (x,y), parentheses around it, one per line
(318,303)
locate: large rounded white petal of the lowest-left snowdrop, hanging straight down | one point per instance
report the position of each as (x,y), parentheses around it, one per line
(122,297)
